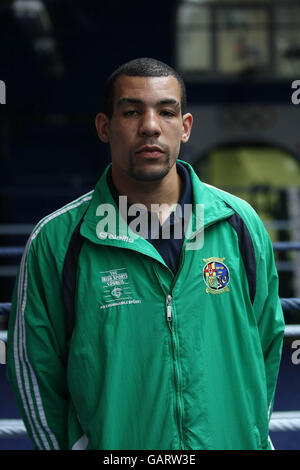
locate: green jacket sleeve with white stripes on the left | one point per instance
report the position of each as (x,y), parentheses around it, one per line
(36,358)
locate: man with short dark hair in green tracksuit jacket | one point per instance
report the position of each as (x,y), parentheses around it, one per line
(175,342)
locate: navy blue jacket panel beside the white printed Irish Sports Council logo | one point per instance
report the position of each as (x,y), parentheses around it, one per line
(69,276)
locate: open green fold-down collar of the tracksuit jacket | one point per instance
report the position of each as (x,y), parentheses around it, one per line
(208,208)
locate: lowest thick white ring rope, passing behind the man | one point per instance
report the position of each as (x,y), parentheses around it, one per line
(280,421)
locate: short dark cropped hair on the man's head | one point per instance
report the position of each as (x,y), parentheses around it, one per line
(143,67)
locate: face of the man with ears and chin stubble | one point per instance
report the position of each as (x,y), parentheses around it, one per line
(146,127)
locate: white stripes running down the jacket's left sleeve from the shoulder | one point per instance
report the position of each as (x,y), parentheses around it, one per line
(20,352)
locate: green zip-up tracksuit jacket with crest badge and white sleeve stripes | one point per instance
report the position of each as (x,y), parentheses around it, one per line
(155,361)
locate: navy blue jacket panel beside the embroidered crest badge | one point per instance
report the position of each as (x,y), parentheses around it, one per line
(247,250)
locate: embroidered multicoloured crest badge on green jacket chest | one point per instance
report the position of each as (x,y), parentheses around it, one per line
(216,275)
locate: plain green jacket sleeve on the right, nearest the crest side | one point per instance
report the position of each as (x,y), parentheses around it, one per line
(270,317)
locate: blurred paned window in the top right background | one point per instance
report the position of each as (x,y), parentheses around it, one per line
(225,38)
